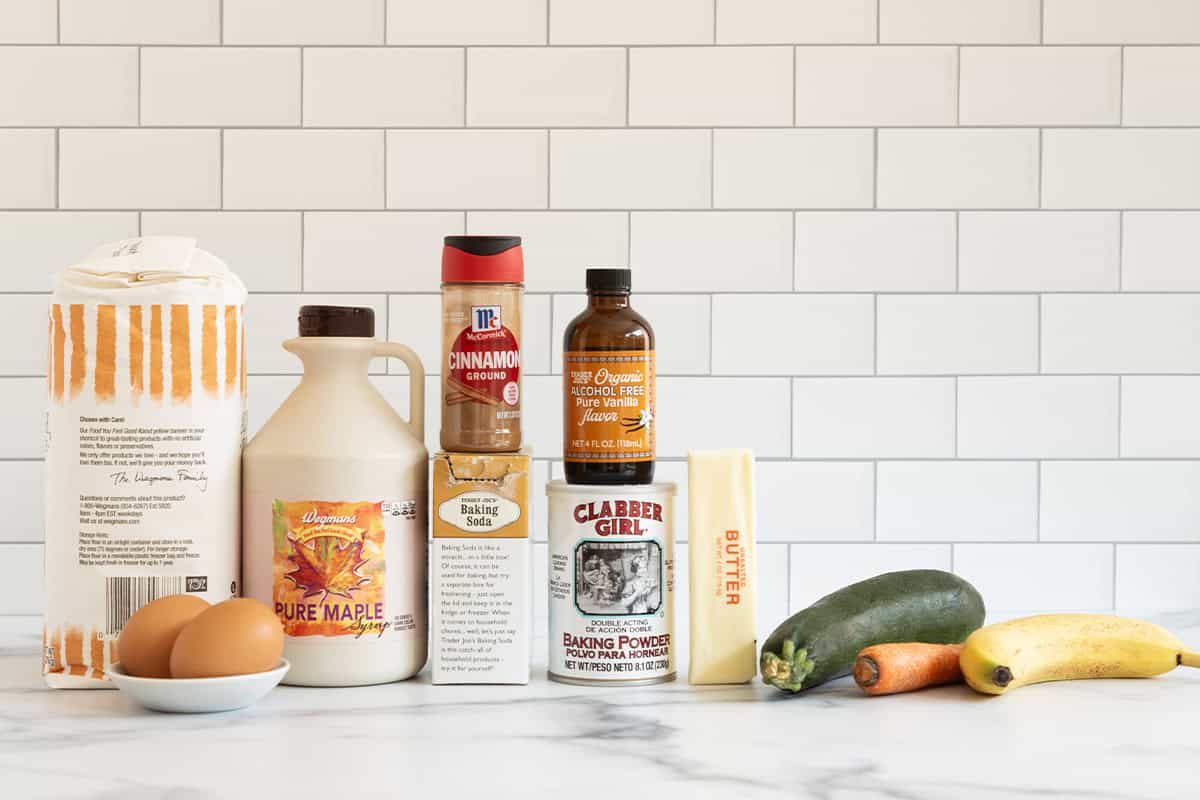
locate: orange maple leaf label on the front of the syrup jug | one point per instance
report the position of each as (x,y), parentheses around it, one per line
(329,568)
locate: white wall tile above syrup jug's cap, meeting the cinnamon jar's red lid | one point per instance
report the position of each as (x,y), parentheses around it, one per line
(381,251)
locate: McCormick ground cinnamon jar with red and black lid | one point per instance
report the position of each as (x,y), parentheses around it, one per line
(482,296)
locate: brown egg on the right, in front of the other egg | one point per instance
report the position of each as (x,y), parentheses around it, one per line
(237,637)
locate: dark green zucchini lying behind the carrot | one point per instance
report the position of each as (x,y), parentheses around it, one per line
(821,642)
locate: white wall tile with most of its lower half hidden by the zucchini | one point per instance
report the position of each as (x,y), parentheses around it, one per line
(821,569)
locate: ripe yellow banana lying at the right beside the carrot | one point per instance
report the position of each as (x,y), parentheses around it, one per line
(1069,647)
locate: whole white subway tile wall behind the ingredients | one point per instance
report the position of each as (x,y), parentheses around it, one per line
(935,261)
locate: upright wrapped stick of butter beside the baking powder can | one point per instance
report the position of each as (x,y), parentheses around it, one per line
(721,567)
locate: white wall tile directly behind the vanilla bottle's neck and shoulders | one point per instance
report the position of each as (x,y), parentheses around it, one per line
(681,324)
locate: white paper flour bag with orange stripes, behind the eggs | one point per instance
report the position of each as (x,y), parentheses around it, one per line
(145,435)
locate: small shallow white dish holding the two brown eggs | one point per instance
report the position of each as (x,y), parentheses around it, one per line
(199,695)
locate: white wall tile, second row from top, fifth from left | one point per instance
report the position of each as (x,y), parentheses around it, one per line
(707,86)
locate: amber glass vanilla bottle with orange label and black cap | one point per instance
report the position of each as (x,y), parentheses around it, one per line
(609,388)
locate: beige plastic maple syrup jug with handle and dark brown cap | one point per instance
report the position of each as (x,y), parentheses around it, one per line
(334,510)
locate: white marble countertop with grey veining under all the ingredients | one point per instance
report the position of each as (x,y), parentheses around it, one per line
(1112,741)
